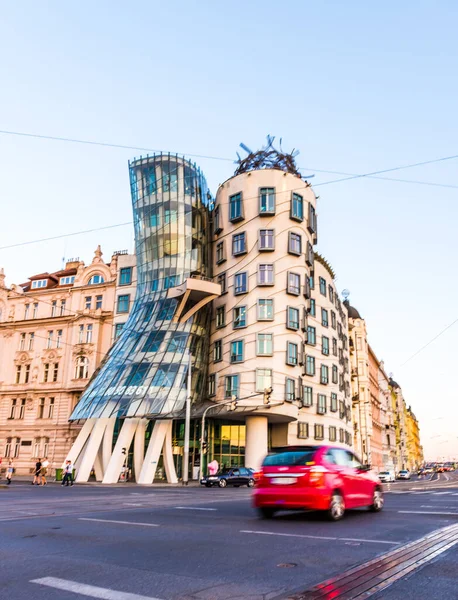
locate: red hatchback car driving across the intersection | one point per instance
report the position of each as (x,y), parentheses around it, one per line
(324,478)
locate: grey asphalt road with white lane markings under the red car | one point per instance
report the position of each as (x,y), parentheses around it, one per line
(131,543)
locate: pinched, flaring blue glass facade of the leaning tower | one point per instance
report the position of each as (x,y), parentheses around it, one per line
(144,374)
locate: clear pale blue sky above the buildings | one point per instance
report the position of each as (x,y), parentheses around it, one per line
(355,86)
